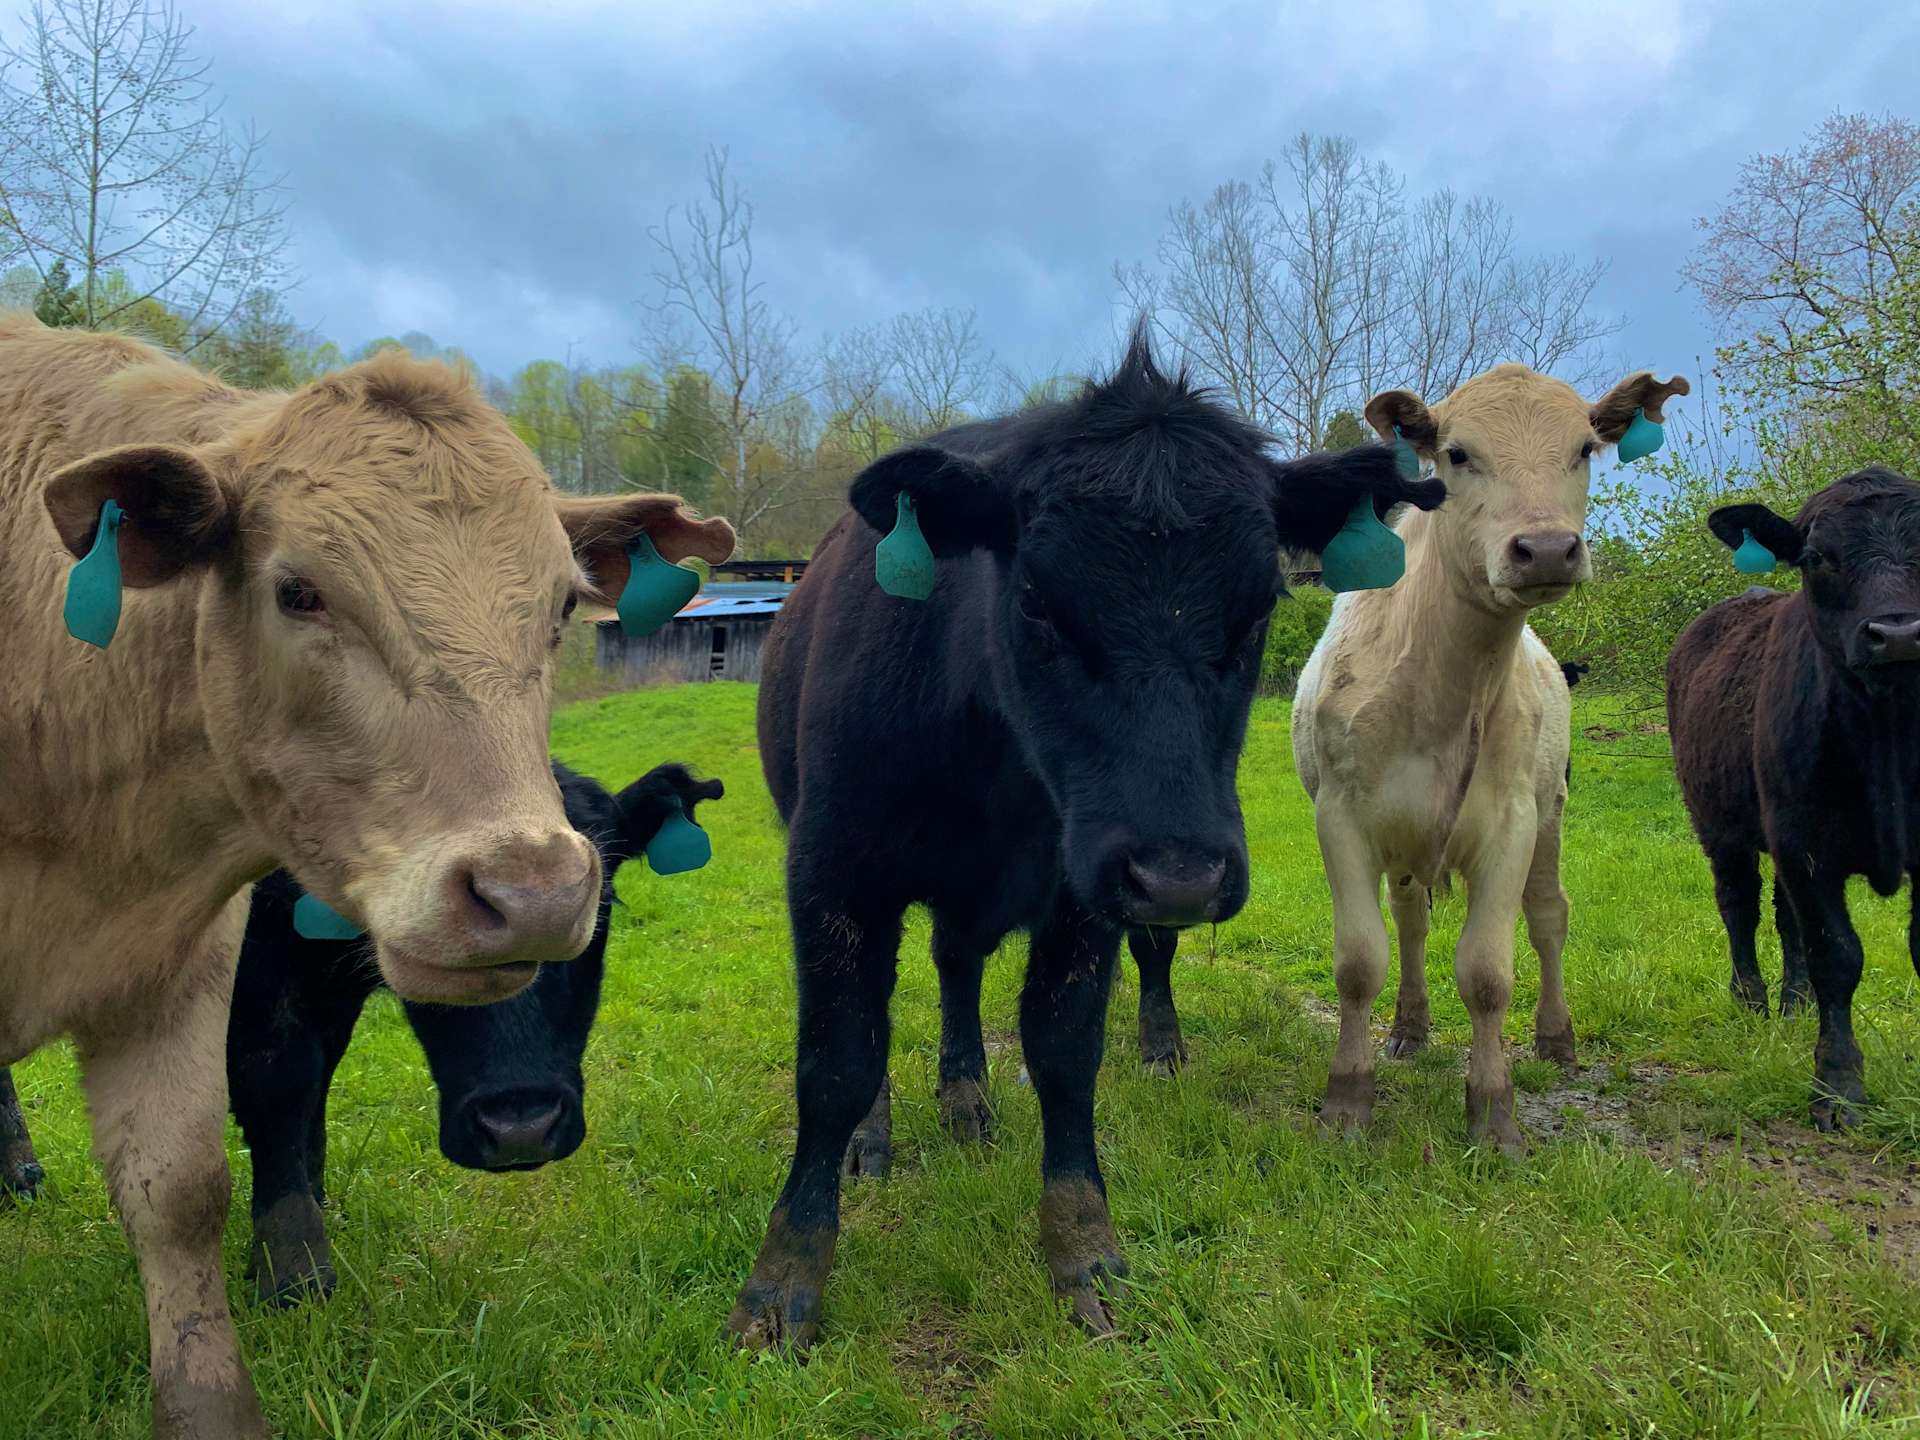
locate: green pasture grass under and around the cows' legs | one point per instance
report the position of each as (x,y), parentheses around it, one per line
(1681,1260)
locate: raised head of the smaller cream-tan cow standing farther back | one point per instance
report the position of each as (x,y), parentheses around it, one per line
(1514,448)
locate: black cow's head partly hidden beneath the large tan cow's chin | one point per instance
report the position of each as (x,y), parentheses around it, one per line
(512,1093)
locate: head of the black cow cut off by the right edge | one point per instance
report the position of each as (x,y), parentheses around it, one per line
(1858,548)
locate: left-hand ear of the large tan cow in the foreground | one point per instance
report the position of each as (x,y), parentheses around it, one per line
(176,510)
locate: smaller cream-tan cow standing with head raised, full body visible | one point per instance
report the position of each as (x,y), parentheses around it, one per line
(1431,725)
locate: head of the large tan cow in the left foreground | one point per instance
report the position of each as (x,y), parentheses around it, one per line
(385,577)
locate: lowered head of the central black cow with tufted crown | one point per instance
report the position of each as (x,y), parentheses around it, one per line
(1136,537)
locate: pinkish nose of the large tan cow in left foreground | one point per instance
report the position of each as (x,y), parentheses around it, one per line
(525,903)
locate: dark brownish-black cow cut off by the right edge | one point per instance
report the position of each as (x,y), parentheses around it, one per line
(1794,729)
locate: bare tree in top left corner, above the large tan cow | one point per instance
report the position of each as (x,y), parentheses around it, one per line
(116,166)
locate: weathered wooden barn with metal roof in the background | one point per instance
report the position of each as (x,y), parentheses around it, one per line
(717,636)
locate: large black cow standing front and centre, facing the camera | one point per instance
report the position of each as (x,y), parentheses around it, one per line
(1047,744)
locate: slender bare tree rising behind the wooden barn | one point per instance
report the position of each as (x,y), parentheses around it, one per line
(711,314)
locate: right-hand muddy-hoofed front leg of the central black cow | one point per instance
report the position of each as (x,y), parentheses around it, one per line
(1063,1030)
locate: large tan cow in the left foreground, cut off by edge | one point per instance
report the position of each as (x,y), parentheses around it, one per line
(335,652)
